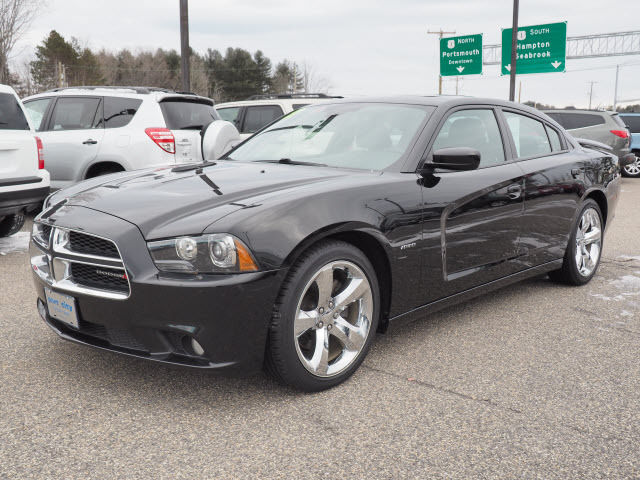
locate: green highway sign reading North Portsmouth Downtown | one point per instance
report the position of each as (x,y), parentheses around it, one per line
(461,55)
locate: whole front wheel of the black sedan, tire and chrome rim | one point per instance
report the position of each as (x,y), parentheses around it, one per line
(324,319)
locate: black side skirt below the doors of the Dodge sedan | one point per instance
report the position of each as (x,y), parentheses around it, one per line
(420,312)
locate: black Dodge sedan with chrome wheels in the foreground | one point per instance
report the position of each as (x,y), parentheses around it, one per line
(324,228)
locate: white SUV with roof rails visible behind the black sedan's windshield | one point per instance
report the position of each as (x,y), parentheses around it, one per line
(257,111)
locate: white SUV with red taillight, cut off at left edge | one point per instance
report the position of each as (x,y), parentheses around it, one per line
(24,183)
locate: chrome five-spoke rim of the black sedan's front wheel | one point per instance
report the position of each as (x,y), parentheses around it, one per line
(333,318)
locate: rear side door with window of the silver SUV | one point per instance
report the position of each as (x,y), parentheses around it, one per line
(72,138)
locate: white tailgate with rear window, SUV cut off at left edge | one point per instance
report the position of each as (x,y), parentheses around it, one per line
(18,155)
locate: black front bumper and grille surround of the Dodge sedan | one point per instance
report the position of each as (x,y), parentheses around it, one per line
(228,315)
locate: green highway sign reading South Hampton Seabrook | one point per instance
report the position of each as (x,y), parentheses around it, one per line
(540,49)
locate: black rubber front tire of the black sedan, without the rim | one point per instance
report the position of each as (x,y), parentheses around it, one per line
(281,359)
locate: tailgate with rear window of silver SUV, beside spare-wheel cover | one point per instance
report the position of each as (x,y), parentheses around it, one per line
(186,117)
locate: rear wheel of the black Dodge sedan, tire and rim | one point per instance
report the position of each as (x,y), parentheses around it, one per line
(584,250)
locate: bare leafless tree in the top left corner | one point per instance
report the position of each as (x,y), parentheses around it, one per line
(15,18)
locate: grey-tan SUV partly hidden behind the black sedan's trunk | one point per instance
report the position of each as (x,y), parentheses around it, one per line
(601,126)
